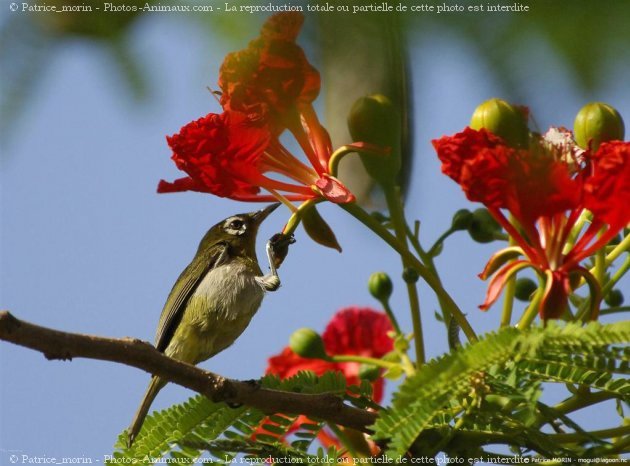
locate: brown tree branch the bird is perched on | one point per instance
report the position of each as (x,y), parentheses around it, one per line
(55,344)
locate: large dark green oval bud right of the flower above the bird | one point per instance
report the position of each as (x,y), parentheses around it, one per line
(374,119)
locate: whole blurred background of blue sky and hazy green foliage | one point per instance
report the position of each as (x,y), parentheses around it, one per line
(88,246)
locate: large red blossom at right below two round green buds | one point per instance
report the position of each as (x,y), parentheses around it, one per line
(545,188)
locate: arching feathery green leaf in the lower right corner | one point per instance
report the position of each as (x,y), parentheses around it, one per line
(513,363)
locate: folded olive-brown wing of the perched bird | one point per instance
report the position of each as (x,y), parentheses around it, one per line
(183,289)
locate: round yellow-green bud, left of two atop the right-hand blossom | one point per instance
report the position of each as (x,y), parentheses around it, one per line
(504,120)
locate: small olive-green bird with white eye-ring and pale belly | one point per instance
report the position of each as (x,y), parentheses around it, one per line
(215,297)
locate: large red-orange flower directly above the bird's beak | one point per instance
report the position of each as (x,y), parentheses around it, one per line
(266,88)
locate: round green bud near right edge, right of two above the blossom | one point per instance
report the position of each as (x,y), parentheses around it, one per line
(596,123)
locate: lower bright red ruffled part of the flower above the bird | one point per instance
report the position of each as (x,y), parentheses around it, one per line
(229,155)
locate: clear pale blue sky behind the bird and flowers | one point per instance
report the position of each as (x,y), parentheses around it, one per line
(88,246)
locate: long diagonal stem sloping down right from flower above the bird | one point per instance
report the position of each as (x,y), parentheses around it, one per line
(430,279)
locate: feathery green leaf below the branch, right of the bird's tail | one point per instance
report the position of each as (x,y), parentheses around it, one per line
(197,425)
